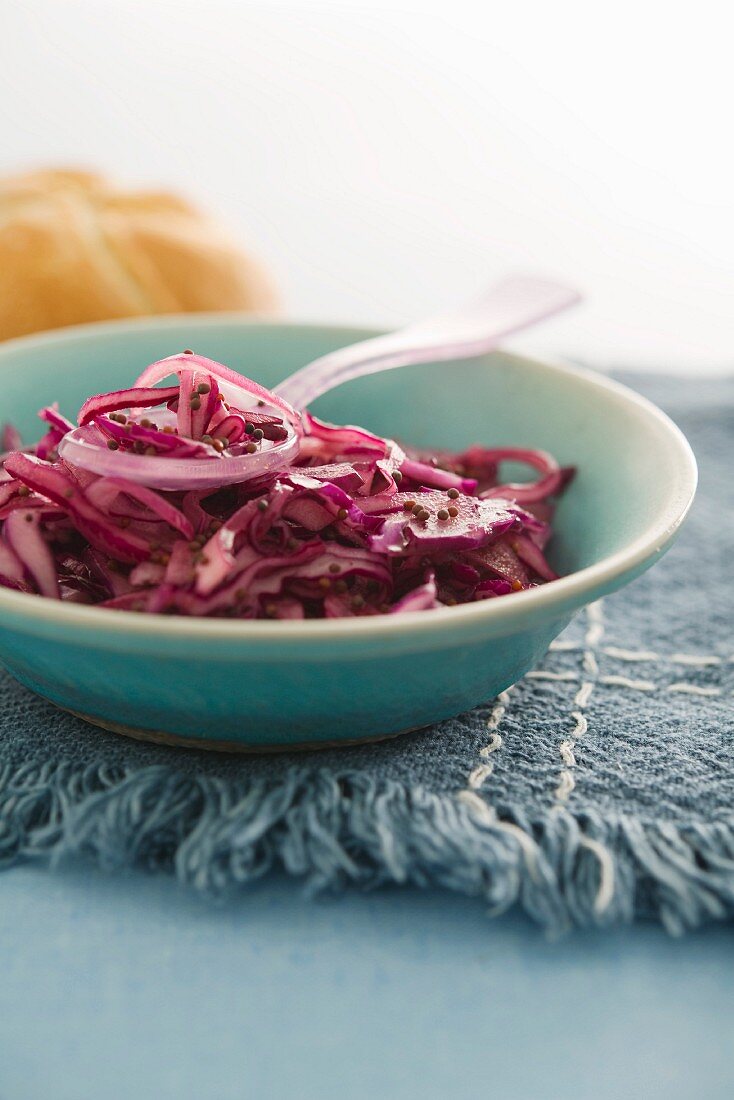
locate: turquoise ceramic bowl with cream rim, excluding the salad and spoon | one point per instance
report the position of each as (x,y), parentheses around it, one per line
(257,686)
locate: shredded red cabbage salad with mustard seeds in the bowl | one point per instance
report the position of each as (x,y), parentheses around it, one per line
(273,514)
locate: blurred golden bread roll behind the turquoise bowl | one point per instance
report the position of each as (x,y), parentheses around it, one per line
(75,249)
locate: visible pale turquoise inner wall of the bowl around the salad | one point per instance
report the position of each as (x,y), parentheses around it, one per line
(627,456)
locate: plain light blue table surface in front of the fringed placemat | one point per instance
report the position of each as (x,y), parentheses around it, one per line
(126,988)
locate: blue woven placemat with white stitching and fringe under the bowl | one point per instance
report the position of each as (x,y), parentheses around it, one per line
(599,789)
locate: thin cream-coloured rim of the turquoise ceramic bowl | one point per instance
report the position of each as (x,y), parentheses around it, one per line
(569,590)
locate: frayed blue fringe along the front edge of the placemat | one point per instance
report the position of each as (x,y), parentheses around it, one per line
(335,830)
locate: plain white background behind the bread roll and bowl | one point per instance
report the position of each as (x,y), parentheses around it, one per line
(388,160)
